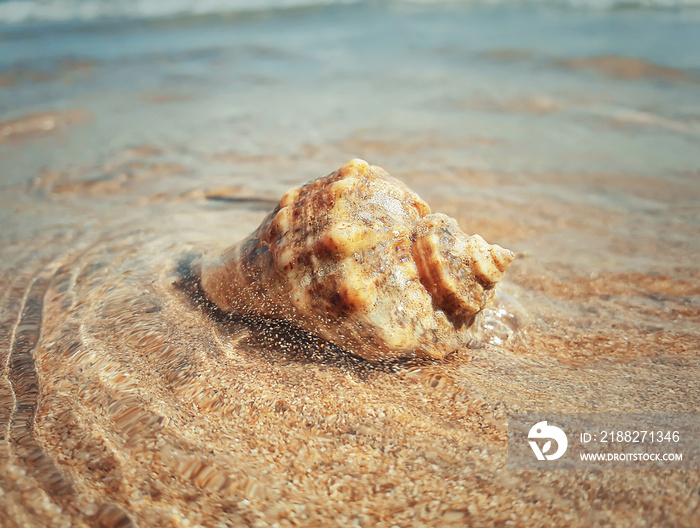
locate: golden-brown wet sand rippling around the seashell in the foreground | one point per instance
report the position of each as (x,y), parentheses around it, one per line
(129,400)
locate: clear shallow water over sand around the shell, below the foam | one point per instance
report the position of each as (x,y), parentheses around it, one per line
(127,148)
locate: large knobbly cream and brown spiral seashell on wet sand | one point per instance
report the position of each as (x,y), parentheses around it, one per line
(358,259)
